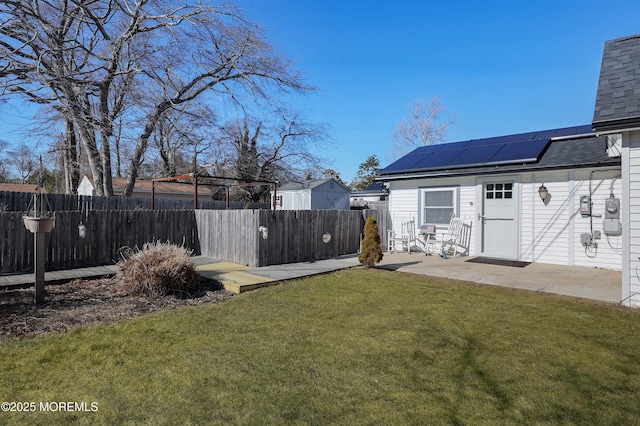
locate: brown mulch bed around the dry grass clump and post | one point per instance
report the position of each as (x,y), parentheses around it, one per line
(81,303)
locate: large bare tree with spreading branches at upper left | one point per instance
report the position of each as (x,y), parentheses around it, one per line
(96,61)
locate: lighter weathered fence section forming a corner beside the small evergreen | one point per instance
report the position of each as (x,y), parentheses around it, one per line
(292,235)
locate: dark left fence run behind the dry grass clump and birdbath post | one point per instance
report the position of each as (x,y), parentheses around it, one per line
(107,232)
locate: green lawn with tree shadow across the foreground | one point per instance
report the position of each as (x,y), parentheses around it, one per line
(353,347)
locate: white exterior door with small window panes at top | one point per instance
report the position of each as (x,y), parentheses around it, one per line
(498,225)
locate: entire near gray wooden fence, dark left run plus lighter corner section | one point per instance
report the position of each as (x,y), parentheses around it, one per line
(232,235)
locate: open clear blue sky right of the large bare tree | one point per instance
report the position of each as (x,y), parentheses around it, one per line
(500,67)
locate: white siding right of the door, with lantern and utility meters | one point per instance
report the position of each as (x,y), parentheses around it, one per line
(551,233)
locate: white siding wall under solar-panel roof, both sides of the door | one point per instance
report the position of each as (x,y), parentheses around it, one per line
(547,233)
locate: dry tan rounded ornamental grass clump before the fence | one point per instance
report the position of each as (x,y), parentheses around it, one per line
(156,270)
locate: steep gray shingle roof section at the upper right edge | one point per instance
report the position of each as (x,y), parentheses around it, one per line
(618,97)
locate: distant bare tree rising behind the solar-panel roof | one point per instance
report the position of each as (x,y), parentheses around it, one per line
(424,126)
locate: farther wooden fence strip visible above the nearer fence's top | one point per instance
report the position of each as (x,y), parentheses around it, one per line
(19,201)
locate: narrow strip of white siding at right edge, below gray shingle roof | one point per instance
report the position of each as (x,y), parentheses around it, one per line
(631,215)
